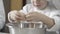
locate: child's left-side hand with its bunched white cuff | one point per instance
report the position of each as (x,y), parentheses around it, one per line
(16,16)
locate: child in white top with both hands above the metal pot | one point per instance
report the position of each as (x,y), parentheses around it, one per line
(38,10)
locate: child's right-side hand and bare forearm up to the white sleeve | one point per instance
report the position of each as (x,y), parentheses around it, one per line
(35,16)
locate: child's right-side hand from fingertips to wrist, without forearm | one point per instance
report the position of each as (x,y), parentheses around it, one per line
(34,16)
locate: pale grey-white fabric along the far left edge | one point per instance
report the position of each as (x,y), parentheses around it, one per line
(2,14)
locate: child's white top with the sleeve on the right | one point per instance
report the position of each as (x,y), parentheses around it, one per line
(55,14)
